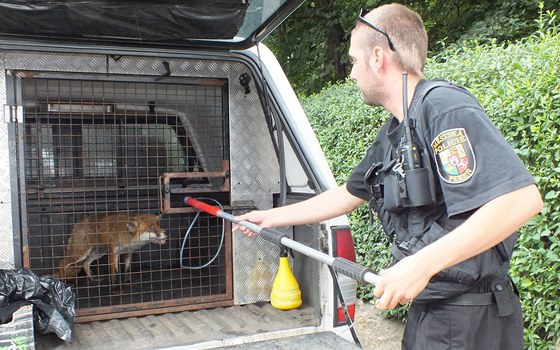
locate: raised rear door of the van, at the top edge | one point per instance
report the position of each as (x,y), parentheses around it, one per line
(179,24)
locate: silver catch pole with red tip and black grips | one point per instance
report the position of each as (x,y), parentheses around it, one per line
(340,265)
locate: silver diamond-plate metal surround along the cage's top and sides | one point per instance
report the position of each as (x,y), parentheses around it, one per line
(254,166)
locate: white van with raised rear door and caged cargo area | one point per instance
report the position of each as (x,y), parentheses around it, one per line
(126,108)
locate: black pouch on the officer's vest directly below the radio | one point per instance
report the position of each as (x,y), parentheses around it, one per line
(419,187)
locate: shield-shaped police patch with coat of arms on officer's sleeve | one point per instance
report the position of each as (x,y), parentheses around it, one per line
(454,156)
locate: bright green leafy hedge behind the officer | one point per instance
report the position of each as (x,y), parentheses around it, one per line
(519,86)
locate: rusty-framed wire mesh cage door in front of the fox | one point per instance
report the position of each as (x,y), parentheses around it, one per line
(97,149)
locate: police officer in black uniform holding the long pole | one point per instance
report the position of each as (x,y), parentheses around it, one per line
(452,247)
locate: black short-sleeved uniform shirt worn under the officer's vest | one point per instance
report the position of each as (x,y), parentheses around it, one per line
(474,162)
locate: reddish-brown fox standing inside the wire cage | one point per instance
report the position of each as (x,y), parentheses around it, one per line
(113,235)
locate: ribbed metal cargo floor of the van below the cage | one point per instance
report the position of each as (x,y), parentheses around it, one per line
(182,329)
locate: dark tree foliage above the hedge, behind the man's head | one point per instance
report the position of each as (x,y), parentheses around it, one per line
(312,44)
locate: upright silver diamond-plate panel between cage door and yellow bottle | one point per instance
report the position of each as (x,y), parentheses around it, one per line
(254,177)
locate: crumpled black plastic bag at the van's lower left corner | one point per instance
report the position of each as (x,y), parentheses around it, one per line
(54,301)
